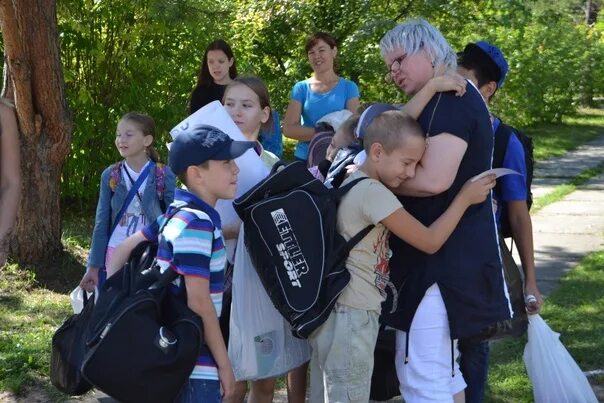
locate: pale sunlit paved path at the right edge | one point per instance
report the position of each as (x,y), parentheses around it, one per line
(564,232)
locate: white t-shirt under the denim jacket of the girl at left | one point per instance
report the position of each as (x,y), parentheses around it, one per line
(133,218)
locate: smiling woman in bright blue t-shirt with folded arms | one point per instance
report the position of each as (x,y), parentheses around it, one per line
(324,92)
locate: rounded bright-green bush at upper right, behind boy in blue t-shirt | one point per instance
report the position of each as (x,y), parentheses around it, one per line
(546,72)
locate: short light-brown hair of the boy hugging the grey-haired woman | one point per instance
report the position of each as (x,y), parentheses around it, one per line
(390,129)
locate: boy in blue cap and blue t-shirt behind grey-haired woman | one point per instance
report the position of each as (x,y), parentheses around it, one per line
(484,65)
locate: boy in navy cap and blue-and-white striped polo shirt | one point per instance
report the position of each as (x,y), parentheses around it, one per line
(191,244)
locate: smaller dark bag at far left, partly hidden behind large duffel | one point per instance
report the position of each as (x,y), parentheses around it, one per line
(68,349)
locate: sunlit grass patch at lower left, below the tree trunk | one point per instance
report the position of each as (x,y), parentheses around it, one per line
(33,304)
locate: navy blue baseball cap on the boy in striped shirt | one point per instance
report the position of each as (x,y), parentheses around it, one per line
(204,143)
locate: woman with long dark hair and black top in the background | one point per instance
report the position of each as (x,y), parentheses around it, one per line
(218,69)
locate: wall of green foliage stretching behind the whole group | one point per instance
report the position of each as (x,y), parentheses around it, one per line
(144,55)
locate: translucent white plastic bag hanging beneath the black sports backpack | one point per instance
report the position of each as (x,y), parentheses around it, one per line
(261,344)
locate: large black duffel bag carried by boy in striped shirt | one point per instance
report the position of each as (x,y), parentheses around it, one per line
(147,341)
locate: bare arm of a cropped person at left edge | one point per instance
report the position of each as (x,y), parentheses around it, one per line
(10,180)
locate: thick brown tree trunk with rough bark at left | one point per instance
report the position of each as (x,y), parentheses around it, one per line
(34,80)
